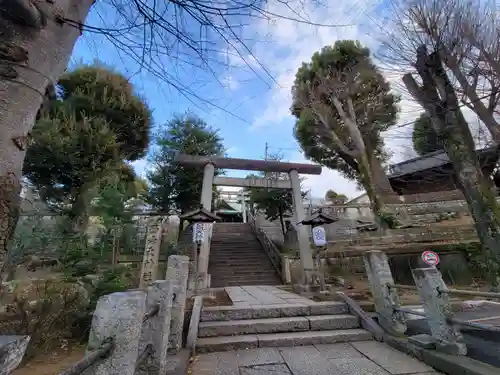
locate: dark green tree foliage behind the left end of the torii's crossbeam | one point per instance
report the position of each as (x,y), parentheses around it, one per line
(173,187)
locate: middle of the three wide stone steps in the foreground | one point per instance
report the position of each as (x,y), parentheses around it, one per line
(277,325)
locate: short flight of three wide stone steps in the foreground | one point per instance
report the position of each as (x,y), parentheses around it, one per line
(238,327)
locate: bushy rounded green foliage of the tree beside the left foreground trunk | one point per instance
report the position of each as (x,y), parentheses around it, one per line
(84,134)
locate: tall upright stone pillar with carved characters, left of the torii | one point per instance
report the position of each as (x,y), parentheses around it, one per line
(151,256)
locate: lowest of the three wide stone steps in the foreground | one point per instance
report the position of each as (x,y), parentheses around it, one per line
(227,343)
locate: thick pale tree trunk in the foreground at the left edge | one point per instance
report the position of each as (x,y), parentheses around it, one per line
(35,45)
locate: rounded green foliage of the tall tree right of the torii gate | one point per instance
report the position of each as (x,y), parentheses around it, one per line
(345,70)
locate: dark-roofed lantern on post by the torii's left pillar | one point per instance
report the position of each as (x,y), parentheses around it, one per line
(198,218)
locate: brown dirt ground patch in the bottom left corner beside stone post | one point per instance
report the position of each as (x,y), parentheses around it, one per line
(52,364)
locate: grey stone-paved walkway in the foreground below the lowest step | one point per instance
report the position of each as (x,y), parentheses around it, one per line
(358,358)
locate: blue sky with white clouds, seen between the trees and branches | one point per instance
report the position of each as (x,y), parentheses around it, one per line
(247,96)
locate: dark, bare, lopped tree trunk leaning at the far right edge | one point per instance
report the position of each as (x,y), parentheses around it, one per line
(438,98)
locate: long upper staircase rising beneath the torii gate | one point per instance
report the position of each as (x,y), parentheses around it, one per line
(237,258)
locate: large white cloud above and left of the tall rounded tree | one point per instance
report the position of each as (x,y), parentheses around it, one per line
(294,43)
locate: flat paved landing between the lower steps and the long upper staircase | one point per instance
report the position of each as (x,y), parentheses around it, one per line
(246,296)
